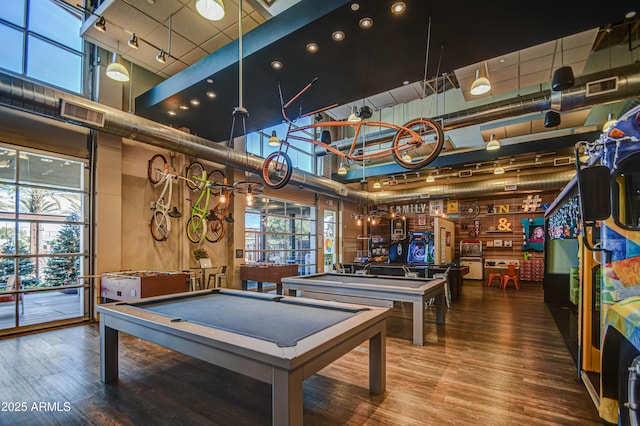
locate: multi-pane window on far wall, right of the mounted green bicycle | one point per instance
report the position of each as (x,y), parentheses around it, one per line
(281,232)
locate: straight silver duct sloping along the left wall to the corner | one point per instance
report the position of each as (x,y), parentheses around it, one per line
(46,101)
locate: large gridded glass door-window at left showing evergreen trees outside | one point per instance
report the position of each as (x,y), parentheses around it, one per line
(43,237)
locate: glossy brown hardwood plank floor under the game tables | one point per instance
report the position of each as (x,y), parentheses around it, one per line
(498,360)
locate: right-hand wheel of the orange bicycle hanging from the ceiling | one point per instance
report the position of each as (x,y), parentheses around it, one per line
(414,154)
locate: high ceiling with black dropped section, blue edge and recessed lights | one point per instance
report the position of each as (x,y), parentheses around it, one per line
(519,46)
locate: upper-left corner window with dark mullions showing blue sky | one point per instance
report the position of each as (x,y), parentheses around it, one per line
(41,40)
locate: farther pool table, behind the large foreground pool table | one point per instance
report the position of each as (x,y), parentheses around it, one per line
(374,290)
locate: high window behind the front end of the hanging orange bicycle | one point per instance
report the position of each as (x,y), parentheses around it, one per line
(301,153)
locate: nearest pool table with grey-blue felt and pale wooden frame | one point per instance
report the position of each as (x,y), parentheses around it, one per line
(276,339)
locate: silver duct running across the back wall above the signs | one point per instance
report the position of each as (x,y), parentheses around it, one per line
(547,181)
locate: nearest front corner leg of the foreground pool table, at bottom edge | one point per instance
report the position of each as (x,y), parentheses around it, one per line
(286,397)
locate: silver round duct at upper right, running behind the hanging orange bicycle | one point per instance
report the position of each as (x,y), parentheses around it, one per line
(573,98)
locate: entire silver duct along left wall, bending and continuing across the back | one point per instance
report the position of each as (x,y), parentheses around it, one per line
(46,101)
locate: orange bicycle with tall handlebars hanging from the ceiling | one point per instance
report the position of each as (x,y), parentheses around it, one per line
(413,145)
